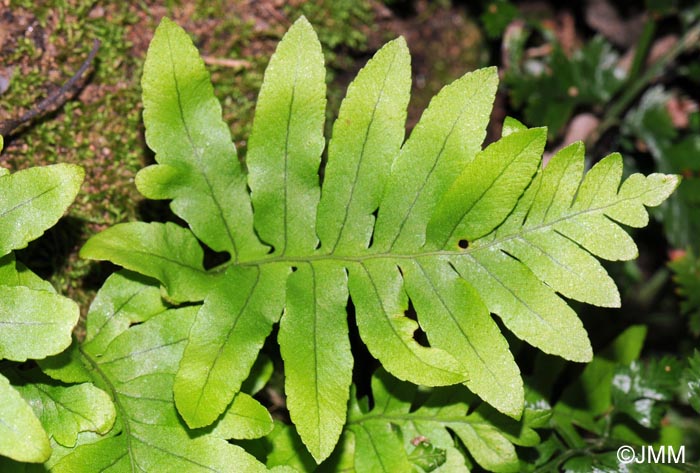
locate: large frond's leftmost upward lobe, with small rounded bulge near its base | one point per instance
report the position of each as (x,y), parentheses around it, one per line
(201,172)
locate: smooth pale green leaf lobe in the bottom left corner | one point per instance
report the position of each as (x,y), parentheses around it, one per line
(22,437)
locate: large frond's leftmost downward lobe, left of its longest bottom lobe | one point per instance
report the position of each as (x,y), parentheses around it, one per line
(225,339)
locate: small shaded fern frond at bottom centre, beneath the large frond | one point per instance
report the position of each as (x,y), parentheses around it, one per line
(390,433)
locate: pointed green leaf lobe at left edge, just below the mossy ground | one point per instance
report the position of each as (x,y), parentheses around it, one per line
(32,200)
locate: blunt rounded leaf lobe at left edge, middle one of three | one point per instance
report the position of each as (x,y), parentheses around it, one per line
(35,324)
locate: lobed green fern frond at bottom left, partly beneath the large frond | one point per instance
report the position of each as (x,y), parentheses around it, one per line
(136,366)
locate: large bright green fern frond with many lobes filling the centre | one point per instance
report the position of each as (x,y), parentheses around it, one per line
(460,232)
